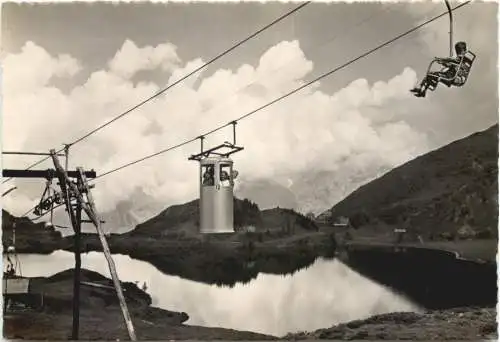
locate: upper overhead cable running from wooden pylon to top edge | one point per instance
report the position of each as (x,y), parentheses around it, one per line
(274,22)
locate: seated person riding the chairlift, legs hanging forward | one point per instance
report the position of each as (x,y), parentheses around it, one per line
(447,76)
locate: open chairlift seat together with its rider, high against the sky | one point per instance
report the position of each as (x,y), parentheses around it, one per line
(453,71)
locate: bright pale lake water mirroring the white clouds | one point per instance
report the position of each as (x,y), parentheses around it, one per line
(323,294)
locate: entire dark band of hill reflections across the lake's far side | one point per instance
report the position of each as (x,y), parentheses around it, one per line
(208,261)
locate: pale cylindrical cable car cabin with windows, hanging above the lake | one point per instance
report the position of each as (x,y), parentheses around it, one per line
(216,195)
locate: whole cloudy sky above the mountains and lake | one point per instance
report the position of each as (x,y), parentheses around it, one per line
(67,68)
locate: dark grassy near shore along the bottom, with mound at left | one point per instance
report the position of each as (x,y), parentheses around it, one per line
(101,319)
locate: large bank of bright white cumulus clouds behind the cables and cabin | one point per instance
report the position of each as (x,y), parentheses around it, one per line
(313,129)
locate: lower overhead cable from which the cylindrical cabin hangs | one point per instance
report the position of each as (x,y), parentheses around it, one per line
(287,94)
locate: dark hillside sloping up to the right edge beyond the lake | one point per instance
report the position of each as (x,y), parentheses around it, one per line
(452,190)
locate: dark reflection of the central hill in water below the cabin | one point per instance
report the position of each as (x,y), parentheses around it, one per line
(224,260)
